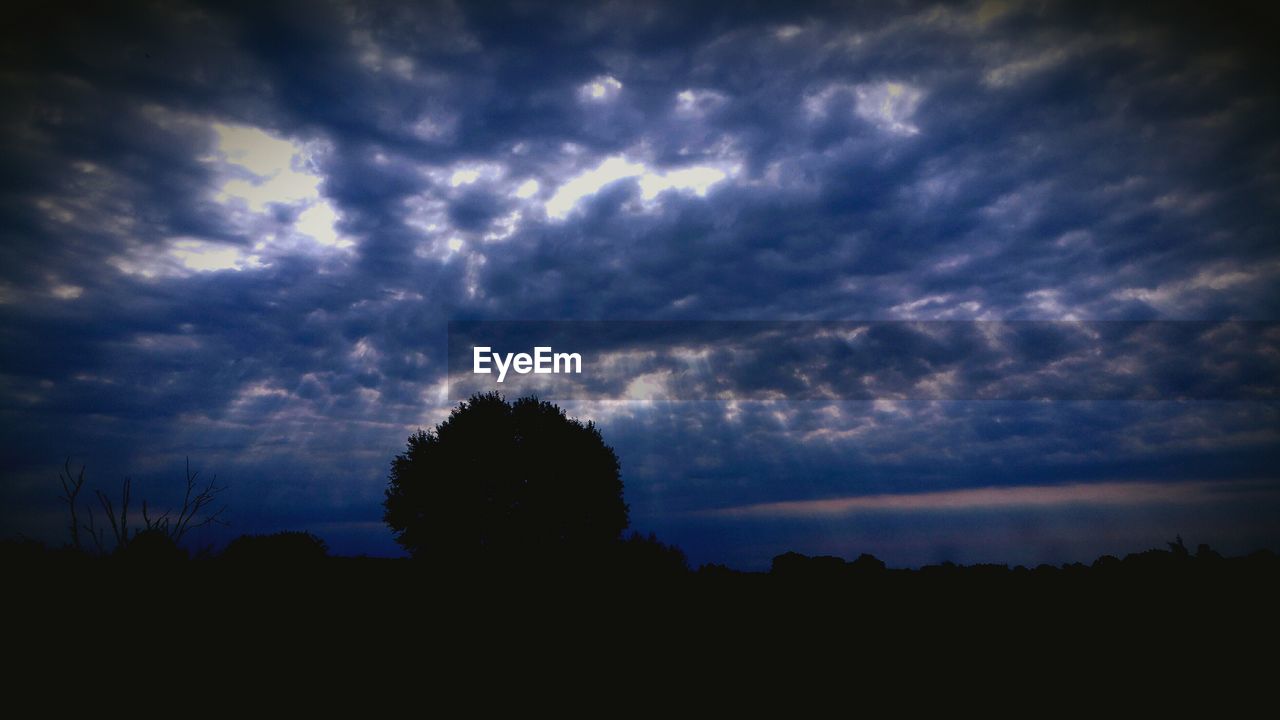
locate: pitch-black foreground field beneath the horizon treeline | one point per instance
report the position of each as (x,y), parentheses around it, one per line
(813,635)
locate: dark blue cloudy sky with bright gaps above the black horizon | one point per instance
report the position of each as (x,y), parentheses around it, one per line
(239,234)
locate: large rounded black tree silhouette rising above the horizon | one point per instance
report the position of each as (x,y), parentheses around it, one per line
(502,482)
